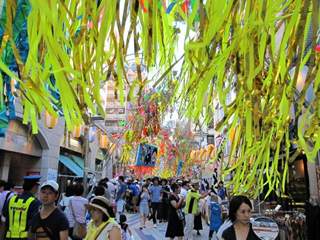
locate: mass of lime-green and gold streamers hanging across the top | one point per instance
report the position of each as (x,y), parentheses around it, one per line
(235,44)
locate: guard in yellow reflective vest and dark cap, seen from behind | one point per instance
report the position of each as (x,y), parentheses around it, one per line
(20,209)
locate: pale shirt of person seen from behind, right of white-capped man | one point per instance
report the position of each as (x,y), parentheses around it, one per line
(79,209)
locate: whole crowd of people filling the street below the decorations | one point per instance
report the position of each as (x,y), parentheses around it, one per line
(181,203)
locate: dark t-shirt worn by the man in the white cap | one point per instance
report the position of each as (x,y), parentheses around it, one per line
(50,227)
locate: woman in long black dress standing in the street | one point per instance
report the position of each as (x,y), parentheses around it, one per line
(175,214)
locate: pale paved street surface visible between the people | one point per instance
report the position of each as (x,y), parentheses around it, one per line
(156,233)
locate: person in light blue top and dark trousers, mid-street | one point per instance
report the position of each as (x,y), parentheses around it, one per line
(155,191)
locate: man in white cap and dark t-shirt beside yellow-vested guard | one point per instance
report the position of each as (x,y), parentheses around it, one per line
(50,222)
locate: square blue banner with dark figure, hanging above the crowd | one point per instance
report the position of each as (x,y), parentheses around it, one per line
(146,155)
